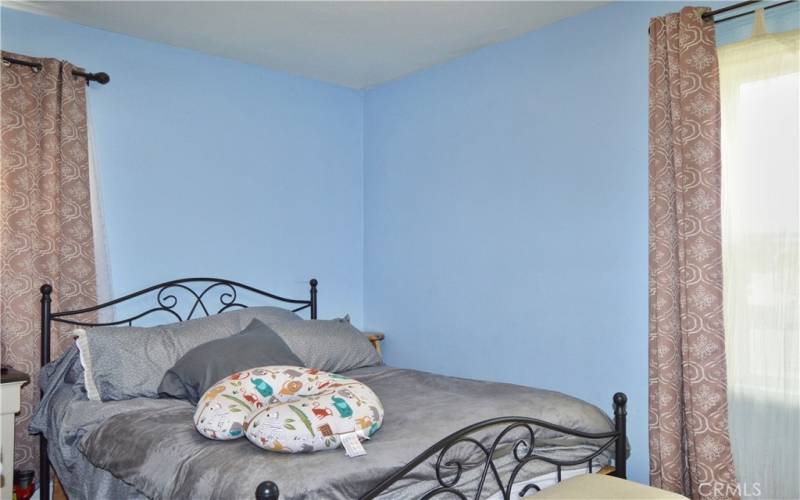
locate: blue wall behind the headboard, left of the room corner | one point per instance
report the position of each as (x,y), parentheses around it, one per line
(213,167)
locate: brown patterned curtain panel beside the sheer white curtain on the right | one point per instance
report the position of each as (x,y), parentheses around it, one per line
(689,445)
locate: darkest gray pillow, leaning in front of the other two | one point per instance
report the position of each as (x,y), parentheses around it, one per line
(207,364)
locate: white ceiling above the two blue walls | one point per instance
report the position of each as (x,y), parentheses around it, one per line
(358,44)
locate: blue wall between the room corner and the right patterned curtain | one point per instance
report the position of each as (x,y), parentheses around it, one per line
(506,212)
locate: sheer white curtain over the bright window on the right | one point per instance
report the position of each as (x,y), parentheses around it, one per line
(759,88)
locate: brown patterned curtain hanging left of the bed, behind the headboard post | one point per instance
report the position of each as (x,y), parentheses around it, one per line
(45,217)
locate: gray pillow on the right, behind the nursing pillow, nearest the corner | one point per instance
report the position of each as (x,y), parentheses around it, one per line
(329,345)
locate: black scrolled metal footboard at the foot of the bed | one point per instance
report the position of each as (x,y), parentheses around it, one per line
(448,471)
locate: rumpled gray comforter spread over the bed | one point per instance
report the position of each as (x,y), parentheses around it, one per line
(152,446)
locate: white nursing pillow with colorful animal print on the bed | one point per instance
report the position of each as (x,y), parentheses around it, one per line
(288,409)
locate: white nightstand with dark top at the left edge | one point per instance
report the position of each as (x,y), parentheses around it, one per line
(12,382)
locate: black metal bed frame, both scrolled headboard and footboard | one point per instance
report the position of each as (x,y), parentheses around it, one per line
(448,472)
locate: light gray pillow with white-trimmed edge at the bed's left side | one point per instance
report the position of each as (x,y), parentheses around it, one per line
(128,362)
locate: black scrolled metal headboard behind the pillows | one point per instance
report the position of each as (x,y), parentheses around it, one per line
(226,292)
